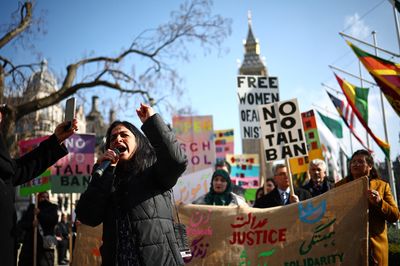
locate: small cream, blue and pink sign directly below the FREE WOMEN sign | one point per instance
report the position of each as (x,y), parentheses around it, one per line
(245,169)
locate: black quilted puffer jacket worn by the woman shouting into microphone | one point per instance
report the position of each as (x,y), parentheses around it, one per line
(146,198)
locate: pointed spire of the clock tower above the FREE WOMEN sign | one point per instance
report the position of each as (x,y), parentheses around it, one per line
(252,63)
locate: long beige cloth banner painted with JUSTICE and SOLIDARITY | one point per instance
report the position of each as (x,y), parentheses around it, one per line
(330,229)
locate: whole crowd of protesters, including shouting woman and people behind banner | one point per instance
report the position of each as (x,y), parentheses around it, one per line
(130,193)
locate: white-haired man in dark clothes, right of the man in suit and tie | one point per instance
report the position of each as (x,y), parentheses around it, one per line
(319,182)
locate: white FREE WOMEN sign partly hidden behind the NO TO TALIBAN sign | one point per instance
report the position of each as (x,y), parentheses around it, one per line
(253,91)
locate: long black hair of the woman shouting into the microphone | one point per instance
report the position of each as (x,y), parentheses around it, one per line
(144,155)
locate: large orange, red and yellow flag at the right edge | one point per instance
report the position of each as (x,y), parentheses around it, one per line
(385,73)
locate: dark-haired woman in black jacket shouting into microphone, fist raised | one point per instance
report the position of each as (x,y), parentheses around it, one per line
(133,197)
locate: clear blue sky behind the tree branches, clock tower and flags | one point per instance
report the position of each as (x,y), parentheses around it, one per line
(298,40)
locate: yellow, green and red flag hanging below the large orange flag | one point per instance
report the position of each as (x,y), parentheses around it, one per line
(360,109)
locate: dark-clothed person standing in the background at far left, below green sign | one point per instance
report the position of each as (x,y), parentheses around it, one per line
(47,218)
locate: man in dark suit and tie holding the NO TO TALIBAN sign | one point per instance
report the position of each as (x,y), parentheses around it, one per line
(280,195)
